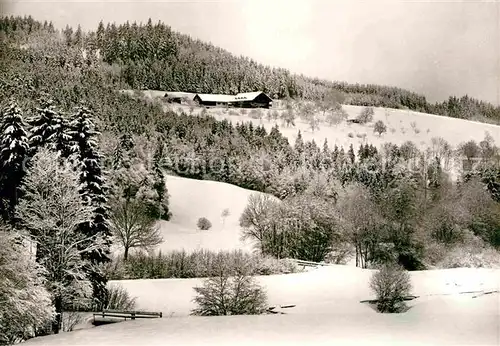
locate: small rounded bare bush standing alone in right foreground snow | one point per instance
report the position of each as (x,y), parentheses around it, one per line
(391,284)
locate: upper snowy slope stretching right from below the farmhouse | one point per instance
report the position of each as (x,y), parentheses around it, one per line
(402,125)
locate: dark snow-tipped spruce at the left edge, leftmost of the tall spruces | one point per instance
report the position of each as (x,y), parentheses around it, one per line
(14,149)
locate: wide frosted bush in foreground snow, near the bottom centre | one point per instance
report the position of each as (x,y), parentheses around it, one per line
(224,295)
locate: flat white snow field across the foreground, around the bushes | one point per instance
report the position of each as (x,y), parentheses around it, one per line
(327,310)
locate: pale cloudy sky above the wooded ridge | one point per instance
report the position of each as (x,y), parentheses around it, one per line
(434,48)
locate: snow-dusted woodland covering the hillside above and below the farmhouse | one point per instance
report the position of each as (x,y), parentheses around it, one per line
(83,165)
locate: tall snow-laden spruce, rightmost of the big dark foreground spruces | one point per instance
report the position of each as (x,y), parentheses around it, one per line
(84,141)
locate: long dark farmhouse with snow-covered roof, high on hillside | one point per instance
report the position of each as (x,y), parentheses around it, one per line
(256,99)
